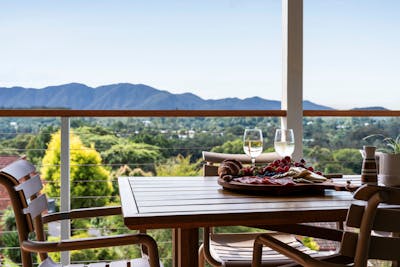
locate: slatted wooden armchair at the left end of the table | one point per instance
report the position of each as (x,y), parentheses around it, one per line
(24,185)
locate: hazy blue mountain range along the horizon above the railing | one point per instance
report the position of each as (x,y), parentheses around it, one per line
(126,96)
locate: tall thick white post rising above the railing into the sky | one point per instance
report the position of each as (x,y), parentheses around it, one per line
(292,93)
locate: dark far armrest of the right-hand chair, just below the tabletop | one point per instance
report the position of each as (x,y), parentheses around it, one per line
(306,230)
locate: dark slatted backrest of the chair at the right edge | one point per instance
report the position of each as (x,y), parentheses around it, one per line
(374,211)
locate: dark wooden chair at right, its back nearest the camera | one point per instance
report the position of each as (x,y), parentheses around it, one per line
(356,246)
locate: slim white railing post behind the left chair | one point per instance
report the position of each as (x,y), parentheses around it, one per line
(65,185)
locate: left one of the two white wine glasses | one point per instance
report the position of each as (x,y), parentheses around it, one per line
(253,144)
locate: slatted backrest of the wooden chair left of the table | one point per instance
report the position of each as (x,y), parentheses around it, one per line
(23,185)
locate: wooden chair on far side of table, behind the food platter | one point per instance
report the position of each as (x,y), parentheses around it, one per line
(237,249)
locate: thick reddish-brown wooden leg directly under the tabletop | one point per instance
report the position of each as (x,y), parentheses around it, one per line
(186,245)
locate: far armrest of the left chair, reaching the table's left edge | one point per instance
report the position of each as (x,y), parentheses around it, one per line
(82,213)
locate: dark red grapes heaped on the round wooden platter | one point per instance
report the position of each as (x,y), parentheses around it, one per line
(276,167)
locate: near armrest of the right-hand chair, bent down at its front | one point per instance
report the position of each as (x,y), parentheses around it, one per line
(292,253)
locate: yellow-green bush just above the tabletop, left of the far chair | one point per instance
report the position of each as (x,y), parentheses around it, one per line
(179,166)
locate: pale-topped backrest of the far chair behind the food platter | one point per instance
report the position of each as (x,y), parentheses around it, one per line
(212,158)
